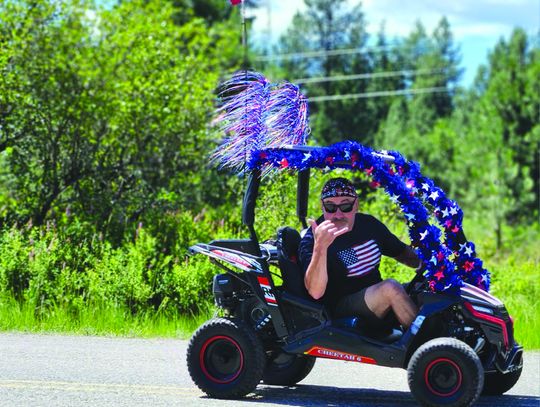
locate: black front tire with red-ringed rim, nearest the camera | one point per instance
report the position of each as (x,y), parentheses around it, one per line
(445,371)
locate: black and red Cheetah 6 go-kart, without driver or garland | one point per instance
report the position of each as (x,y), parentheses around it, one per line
(460,345)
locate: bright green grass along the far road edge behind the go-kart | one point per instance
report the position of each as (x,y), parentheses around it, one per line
(516,285)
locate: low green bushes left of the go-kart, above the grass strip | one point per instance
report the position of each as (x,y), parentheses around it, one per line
(52,267)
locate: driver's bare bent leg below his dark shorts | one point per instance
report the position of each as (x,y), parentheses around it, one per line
(389,294)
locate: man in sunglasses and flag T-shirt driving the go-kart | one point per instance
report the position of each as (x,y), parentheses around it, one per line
(340,256)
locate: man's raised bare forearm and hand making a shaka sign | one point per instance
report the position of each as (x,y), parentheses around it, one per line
(316,277)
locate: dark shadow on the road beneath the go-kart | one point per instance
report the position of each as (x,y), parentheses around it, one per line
(309,395)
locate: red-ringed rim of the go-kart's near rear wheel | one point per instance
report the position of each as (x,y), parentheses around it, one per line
(221,359)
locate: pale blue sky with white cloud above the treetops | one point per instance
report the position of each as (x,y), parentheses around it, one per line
(477,25)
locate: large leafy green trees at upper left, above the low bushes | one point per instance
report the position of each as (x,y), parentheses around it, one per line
(104,111)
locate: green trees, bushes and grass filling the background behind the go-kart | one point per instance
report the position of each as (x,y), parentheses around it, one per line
(105,131)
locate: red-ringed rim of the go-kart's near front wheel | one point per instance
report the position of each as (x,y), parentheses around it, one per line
(443,377)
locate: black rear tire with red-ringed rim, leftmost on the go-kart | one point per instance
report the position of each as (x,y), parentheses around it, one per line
(225,358)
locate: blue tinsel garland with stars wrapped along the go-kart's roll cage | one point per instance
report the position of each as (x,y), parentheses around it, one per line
(447,263)
